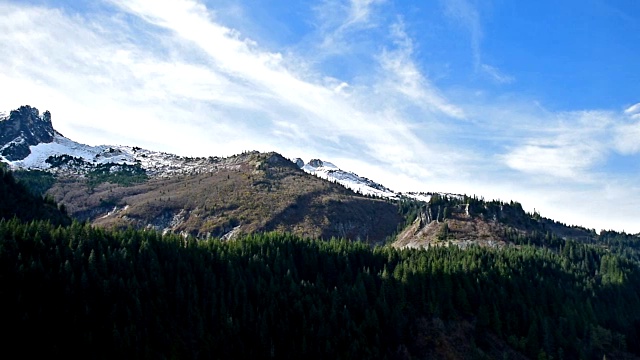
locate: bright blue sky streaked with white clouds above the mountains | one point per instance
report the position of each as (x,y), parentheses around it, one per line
(532,101)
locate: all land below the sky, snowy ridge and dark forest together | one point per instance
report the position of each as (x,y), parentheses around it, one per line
(551,291)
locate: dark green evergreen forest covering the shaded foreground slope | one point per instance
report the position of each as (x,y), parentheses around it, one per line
(138,294)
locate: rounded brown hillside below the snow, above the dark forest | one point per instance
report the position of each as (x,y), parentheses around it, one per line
(245,193)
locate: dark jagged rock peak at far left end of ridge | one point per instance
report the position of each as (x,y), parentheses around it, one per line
(23,128)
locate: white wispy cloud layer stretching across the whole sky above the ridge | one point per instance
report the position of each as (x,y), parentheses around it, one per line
(174,76)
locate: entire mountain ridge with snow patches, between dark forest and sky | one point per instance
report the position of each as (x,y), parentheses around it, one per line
(122,186)
